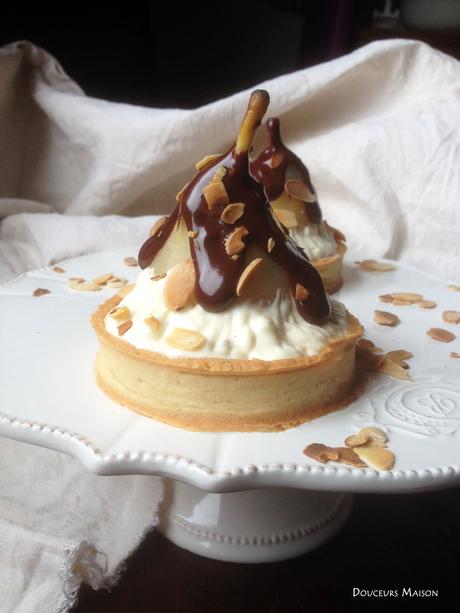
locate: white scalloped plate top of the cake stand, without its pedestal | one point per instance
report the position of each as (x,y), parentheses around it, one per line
(49,396)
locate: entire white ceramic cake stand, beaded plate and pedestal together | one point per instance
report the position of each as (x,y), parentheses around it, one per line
(246,497)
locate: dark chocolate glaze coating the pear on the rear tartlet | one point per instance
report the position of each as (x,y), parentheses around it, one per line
(273,177)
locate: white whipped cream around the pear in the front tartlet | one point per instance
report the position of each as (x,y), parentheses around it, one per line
(247,330)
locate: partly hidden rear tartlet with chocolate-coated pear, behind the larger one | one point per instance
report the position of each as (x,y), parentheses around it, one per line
(288,186)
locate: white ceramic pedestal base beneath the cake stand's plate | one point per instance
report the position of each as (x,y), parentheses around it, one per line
(264,525)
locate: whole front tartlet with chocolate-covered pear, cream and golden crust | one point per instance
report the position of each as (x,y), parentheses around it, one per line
(229,326)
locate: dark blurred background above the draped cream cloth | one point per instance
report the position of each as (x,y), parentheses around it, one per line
(178,54)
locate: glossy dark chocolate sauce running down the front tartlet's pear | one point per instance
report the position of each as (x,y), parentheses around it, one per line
(217,273)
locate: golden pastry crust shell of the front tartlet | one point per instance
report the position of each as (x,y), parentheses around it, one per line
(214,394)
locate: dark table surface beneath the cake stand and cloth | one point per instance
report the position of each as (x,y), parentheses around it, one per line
(389,542)
